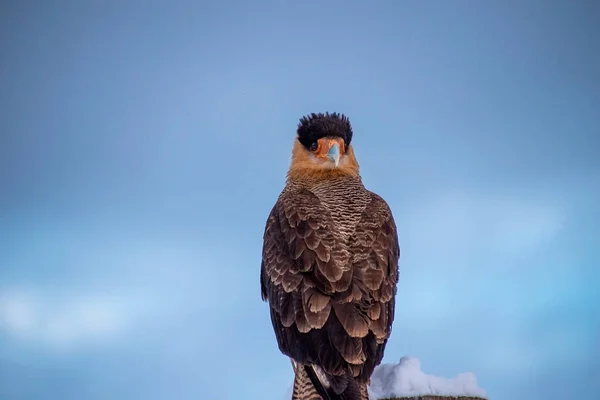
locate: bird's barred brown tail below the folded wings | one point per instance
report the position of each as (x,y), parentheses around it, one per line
(312,384)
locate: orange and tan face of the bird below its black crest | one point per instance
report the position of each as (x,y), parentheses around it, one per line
(315,164)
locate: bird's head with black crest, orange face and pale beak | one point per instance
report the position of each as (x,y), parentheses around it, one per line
(322,147)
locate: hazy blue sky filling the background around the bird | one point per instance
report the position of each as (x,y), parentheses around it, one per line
(143,145)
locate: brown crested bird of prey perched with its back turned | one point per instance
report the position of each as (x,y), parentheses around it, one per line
(329,268)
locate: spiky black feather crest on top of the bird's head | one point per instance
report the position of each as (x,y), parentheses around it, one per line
(315,126)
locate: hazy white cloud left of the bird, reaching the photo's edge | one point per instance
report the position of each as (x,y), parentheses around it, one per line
(152,282)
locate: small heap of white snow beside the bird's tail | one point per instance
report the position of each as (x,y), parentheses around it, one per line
(406,379)
